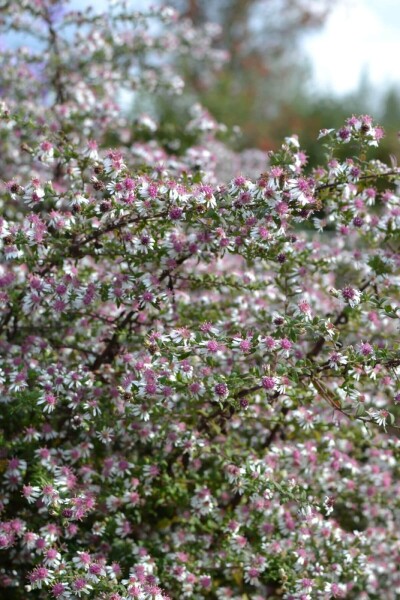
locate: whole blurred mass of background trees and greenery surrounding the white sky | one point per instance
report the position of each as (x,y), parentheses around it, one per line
(264,86)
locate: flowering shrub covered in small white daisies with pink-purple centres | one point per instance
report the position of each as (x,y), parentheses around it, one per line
(199,378)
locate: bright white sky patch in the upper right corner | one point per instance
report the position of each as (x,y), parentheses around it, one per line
(361,38)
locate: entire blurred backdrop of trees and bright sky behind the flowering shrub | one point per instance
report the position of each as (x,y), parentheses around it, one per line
(295,66)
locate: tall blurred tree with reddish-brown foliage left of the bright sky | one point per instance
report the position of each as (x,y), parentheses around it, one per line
(264,68)
